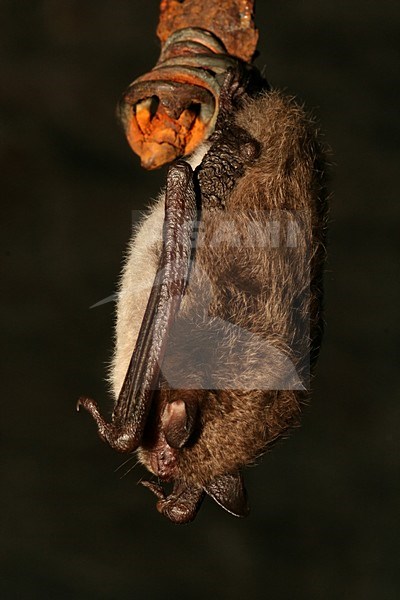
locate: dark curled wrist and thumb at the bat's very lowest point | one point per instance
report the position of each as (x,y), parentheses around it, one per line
(181,506)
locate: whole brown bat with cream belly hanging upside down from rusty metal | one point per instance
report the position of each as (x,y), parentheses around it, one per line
(221,299)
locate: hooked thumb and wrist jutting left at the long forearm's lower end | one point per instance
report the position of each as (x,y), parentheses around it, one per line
(120,438)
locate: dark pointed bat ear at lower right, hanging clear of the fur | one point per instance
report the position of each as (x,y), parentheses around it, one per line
(229,492)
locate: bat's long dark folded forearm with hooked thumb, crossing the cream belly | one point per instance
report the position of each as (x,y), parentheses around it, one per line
(125,430)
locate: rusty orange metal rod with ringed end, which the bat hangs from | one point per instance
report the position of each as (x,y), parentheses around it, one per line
(169,111)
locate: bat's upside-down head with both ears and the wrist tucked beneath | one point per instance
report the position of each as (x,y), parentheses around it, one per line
(171,450)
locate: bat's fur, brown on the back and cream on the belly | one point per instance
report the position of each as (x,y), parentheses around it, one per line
(250,323)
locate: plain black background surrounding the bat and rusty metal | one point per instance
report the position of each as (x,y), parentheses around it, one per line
(325,503)
